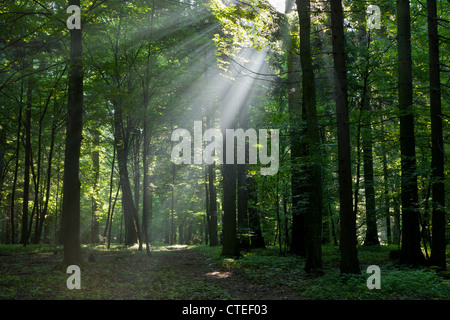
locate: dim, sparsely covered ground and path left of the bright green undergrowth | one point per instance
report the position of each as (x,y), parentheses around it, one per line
(176,272)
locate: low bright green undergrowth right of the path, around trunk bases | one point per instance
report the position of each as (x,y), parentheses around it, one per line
(397,282)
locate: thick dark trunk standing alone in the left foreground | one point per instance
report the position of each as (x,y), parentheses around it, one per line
(71,181)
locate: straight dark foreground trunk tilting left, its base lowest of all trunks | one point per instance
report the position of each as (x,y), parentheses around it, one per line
(349,256)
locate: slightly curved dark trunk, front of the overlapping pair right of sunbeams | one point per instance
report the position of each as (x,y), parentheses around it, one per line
(313,217)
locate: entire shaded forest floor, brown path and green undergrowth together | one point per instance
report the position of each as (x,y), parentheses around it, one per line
(199,272)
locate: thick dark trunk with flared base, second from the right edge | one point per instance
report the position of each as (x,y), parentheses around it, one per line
(410,252)
